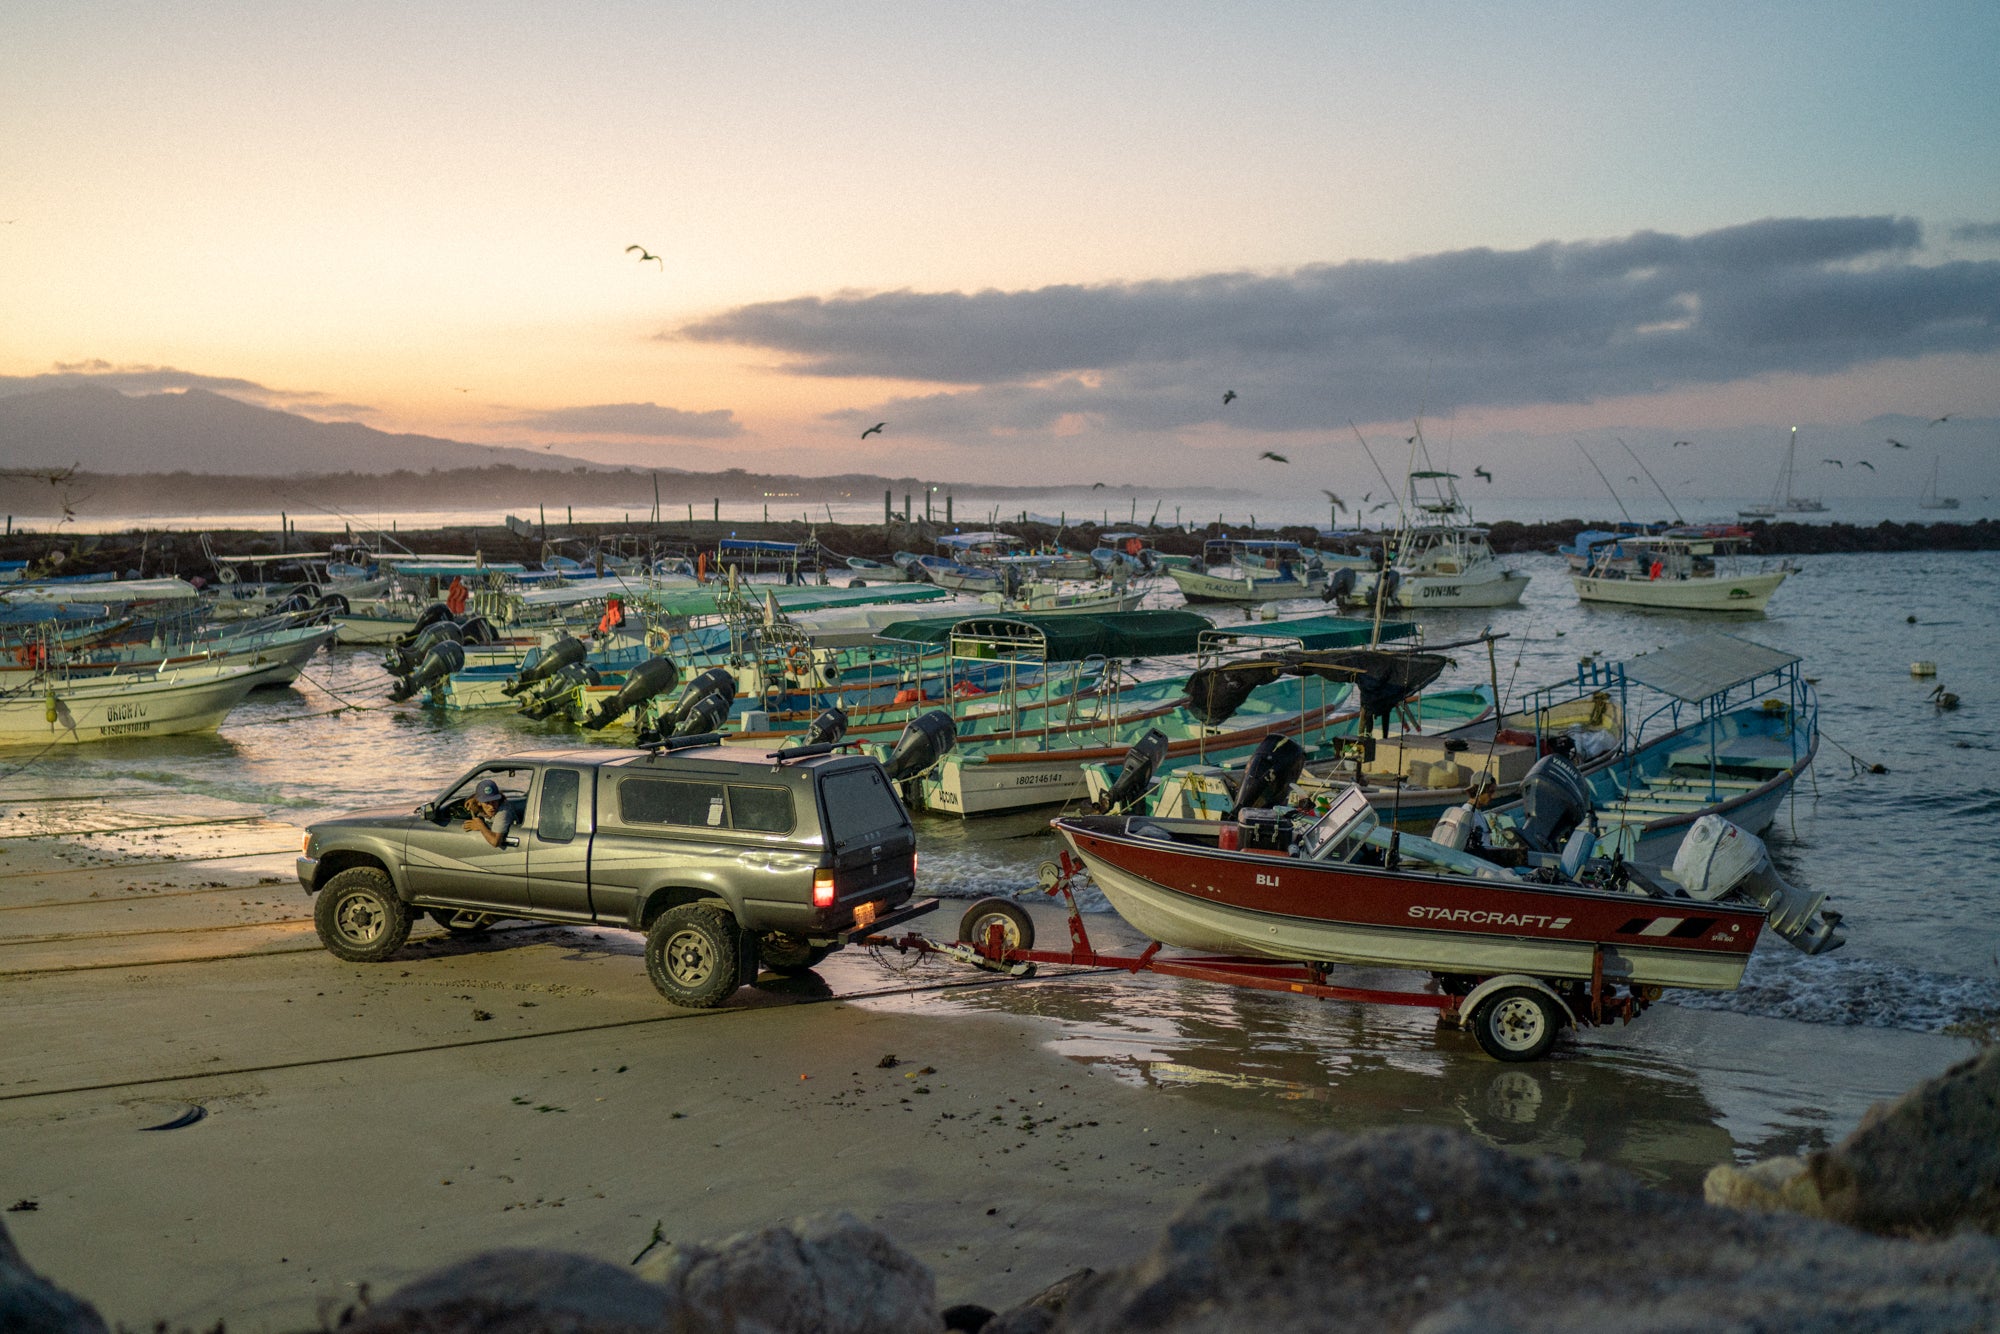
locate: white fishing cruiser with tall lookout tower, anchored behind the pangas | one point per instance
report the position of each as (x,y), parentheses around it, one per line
(1439,559)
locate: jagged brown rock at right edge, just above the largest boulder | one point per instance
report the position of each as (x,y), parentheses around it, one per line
(1925,1165)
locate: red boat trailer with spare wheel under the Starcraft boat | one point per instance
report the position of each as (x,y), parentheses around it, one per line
(1513,1017)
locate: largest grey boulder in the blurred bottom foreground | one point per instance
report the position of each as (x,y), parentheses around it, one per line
(1435,1231)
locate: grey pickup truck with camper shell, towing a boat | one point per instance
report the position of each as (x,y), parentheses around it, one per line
(725,859)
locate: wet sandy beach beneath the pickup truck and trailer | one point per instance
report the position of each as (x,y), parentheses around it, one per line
(531,1089)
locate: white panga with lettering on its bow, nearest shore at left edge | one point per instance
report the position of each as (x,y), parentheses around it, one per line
(93,709)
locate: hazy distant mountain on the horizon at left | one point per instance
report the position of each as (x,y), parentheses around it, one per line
(199,431)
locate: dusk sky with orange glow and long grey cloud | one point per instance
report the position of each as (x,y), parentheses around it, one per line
(1037,241)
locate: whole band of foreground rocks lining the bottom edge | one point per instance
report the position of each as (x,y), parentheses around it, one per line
(1425,1231)
